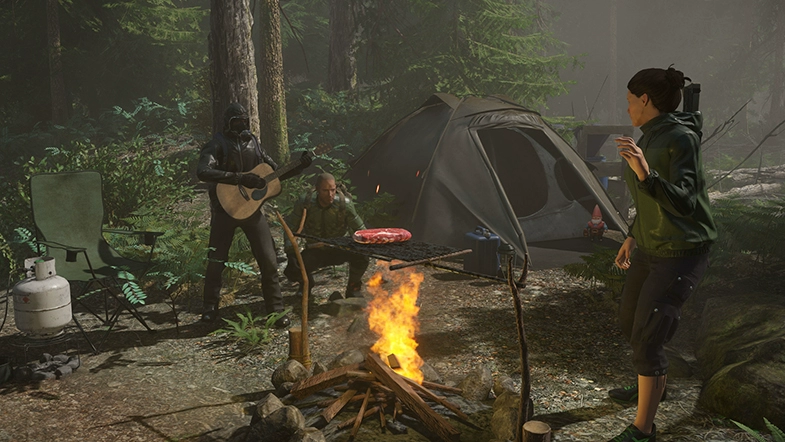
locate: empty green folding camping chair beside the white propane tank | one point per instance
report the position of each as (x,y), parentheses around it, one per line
(68,213)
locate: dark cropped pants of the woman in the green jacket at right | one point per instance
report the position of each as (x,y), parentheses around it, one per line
(651,301)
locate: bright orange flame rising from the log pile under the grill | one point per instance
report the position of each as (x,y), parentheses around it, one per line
(393,317)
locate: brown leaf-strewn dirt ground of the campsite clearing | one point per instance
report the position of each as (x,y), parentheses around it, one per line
(169,386)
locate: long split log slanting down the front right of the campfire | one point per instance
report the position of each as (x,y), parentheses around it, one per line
(405,393)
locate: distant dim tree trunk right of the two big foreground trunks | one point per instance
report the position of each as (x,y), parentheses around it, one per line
(342,64)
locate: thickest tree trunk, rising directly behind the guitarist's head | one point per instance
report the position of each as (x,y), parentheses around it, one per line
(232,67)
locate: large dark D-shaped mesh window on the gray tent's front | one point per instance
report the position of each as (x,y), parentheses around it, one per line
(519,169)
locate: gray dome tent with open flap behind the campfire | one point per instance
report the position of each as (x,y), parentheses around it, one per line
(454,164)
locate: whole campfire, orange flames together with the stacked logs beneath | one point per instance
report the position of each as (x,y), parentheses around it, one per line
(389,382)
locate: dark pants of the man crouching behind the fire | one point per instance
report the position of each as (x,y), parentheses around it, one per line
(316,258)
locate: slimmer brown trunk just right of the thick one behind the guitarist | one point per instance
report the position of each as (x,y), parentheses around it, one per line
(272,99)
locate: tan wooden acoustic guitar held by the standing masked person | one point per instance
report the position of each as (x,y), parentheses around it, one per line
(241,202)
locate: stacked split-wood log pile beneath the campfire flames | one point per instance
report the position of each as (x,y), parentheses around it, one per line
(382,395)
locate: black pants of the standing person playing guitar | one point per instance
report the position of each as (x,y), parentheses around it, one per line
(256,229)
